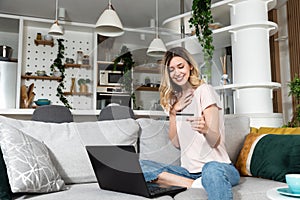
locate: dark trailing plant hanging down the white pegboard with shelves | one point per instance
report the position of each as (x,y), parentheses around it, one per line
(58,65)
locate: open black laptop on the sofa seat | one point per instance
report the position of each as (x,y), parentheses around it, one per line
(117,168)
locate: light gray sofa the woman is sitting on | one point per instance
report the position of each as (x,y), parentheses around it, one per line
(66,144)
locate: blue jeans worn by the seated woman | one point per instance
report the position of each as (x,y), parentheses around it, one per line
(217,178)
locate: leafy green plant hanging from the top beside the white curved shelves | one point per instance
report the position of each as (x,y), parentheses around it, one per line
(200,20)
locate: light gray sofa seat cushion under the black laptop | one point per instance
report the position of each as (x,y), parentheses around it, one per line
(88,191)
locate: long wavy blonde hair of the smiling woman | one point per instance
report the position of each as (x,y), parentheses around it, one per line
(169,91)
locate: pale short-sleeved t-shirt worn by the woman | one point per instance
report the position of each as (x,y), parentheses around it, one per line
(195,150)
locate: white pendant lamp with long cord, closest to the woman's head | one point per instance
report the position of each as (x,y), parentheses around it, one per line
(157,47)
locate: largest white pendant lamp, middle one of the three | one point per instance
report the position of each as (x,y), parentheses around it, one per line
(109,23)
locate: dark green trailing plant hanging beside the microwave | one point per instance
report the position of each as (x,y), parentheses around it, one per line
(126,58)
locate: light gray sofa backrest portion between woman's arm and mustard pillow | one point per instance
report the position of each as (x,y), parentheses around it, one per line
(236,129)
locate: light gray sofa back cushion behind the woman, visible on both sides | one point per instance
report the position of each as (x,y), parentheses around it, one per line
(155,144)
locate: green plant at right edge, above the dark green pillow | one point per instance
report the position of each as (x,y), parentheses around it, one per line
(294,86)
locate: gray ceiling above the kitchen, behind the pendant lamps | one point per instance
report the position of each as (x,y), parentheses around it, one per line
(133,13)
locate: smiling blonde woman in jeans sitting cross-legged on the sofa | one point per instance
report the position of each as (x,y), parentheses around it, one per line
(204,160)
